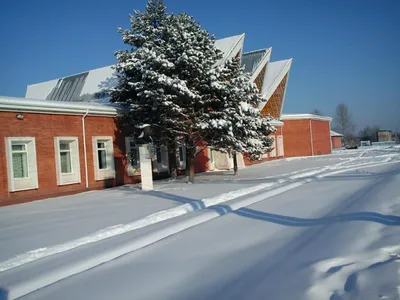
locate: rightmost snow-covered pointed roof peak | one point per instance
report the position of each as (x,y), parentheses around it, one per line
(276,71)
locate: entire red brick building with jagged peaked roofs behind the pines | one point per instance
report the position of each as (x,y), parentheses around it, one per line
(68,141)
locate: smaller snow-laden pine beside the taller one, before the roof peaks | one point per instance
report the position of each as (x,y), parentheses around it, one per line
(238,122)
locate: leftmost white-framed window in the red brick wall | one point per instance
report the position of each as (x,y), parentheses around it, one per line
(21,163)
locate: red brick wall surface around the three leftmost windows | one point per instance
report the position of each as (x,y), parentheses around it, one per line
(44,127)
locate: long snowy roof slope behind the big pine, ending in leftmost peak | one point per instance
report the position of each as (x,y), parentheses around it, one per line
(88,86)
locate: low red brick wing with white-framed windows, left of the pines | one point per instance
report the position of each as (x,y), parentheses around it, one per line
(50,148)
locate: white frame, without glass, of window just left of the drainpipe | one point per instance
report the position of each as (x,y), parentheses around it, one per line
(75,175)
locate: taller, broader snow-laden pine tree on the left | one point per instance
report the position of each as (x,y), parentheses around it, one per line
(166,79)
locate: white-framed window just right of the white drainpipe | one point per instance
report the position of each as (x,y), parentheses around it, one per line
(103,156)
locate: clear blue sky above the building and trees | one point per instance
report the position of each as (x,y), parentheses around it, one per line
(343,51)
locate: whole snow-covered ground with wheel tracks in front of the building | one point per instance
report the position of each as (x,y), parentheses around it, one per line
(317,228)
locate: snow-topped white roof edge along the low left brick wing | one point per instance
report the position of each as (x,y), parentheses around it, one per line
(14,104)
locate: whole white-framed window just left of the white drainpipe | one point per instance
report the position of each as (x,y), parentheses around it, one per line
(67,160)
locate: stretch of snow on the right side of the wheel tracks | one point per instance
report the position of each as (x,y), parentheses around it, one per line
(329,239)
